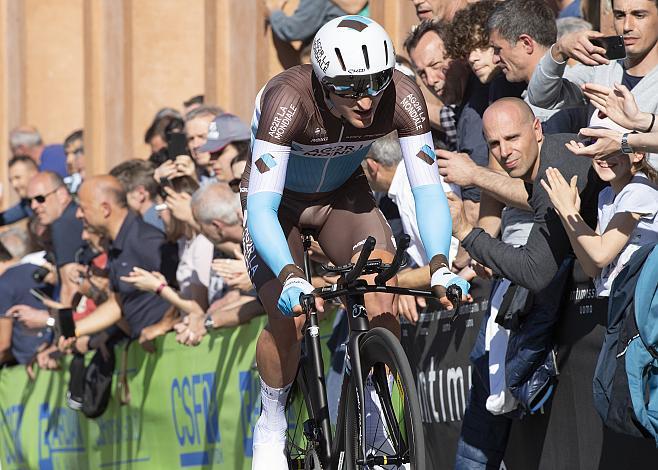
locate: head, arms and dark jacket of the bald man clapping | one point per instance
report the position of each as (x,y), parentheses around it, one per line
(516,141)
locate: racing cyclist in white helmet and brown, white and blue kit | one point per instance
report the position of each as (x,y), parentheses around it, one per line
(312,127)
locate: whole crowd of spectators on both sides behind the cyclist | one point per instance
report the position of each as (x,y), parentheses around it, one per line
(544,143)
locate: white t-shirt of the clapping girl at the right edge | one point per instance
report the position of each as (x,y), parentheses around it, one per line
(641,197)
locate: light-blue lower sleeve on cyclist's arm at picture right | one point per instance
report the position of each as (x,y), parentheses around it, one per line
(433,217)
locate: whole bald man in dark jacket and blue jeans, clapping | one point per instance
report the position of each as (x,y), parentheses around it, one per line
(516,142)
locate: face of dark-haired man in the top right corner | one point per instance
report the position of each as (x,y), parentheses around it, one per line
(637,21)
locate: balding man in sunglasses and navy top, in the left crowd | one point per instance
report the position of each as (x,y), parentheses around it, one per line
(53,206)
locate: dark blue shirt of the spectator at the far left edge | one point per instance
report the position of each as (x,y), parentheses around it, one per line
(15,285)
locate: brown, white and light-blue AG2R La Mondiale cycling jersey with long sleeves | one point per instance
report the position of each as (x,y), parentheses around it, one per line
(299,146)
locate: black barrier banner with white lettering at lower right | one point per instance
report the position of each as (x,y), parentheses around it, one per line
(567,434)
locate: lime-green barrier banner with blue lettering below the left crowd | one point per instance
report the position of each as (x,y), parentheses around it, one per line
(190,407)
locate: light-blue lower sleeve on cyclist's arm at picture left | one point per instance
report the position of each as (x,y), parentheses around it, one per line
(265,230)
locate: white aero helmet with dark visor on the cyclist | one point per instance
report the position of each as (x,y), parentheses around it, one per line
(353,56)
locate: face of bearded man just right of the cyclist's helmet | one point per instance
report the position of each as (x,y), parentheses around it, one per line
(445,78)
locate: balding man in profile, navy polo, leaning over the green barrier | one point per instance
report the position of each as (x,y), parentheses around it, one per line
(133,242)
